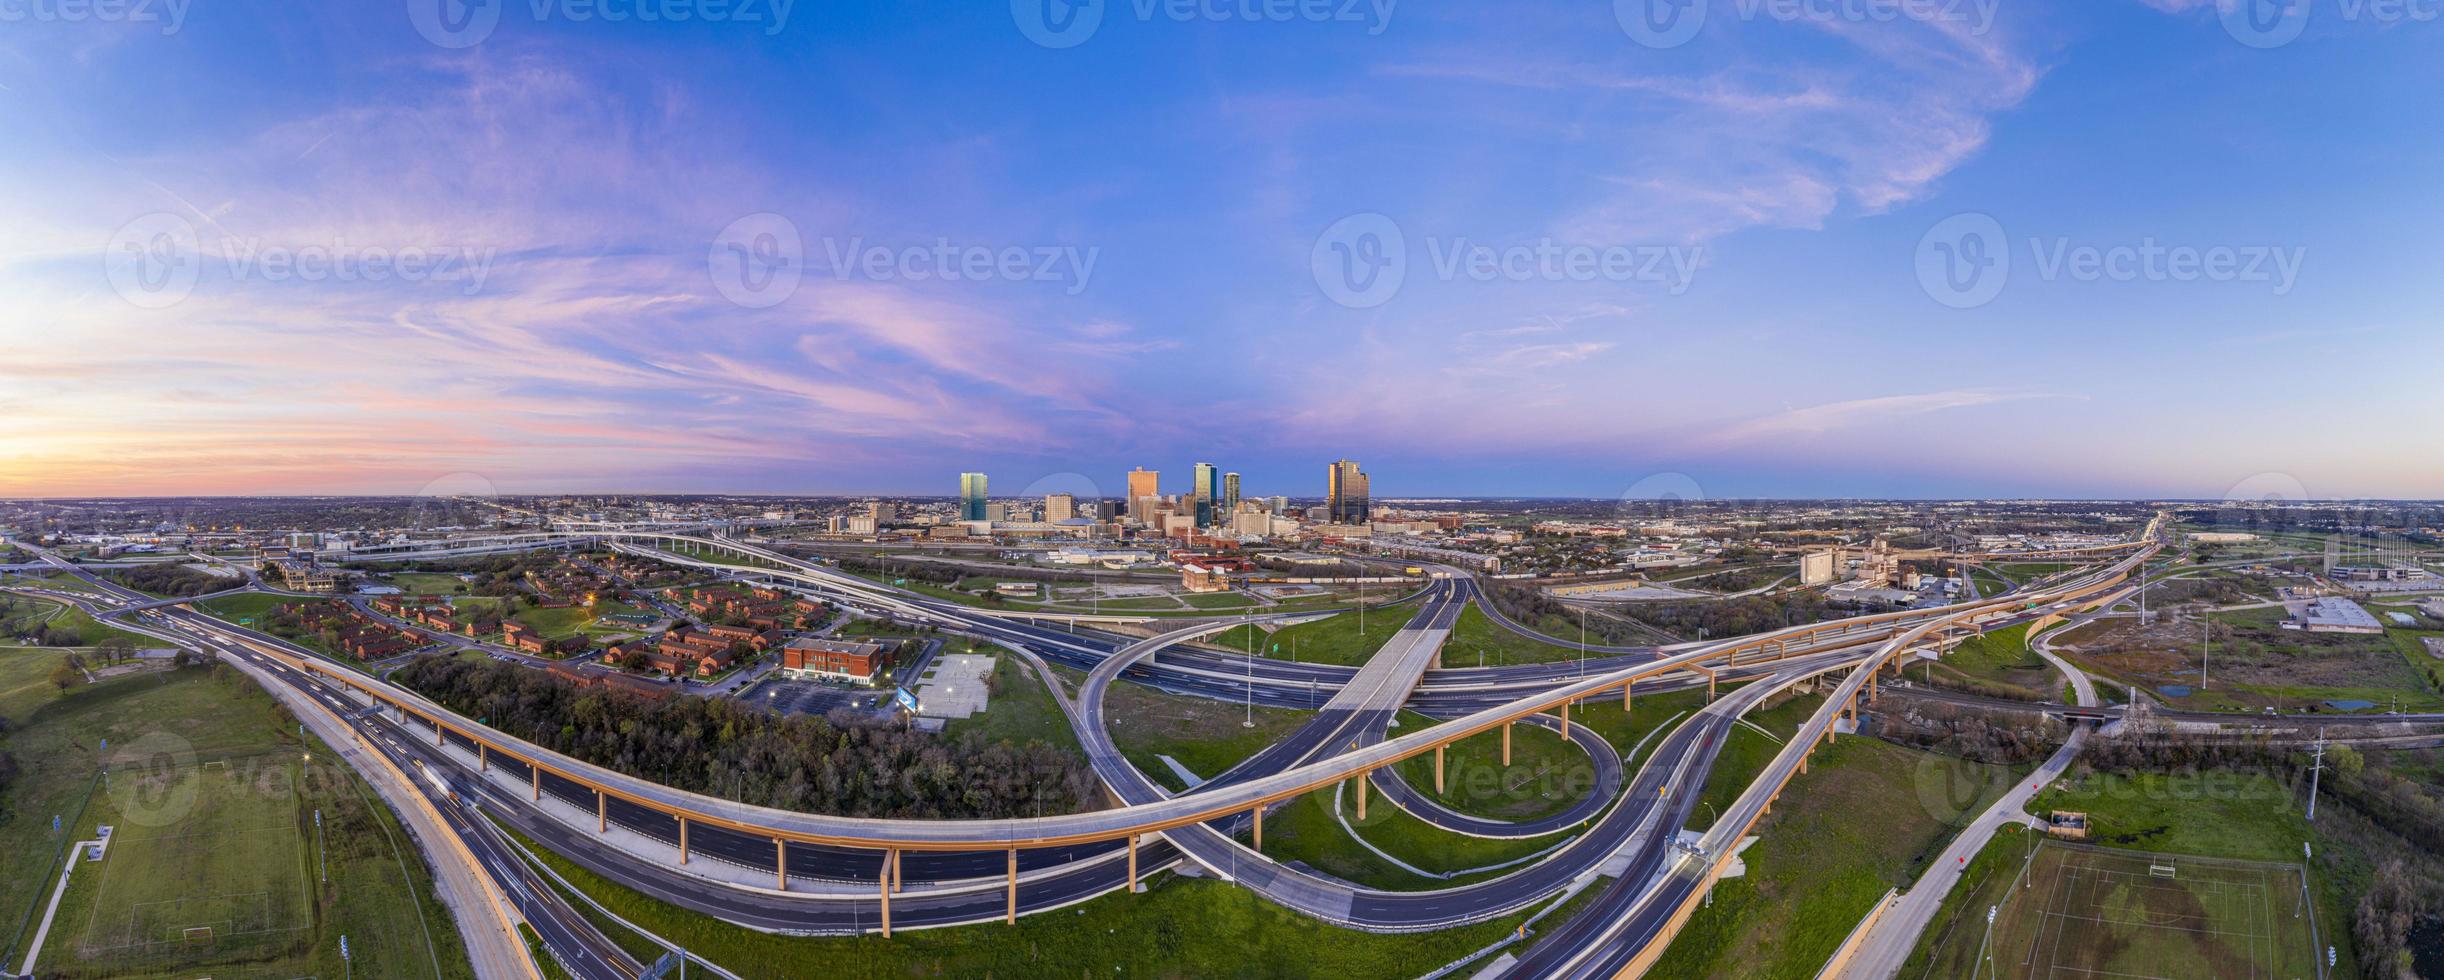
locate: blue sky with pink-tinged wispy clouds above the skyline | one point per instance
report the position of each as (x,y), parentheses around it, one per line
(1702,248)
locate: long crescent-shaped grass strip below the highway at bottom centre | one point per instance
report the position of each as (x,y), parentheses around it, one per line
(1179,927)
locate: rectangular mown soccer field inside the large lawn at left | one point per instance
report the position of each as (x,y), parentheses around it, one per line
(204,864)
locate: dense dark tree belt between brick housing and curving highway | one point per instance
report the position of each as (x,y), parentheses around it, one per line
(840,764)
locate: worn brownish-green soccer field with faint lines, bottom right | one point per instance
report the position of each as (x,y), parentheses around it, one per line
(2093,913)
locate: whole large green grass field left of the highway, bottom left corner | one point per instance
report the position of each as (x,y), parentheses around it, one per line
(211,800)
